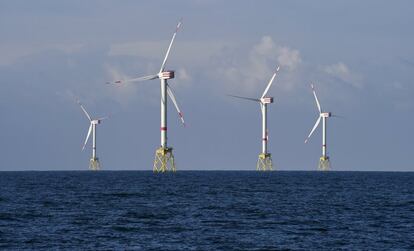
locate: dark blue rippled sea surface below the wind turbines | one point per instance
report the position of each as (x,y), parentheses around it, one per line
(206,210)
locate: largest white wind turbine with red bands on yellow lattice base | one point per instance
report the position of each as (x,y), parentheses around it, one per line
(164,158)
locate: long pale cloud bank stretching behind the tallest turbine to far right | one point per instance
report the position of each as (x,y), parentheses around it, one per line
(233,67)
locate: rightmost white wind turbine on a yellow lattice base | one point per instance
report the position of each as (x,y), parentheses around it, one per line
(324,162)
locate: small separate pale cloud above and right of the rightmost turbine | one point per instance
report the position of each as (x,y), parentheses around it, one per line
(342,72)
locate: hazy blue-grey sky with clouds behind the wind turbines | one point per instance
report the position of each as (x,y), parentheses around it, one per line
(358,54)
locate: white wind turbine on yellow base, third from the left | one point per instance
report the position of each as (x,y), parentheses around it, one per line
(264,162)
